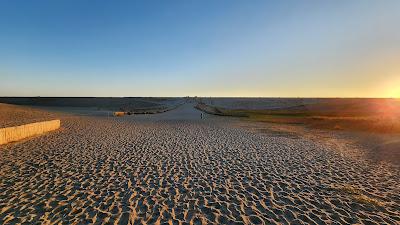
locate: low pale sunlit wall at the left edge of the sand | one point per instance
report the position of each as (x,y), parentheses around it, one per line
(10,134)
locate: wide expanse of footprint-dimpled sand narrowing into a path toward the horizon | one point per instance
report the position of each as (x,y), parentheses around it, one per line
(175,168)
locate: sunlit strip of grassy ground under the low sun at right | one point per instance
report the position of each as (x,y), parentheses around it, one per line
(381,118)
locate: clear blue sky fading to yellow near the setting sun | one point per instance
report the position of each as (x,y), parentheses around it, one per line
(205,48)
